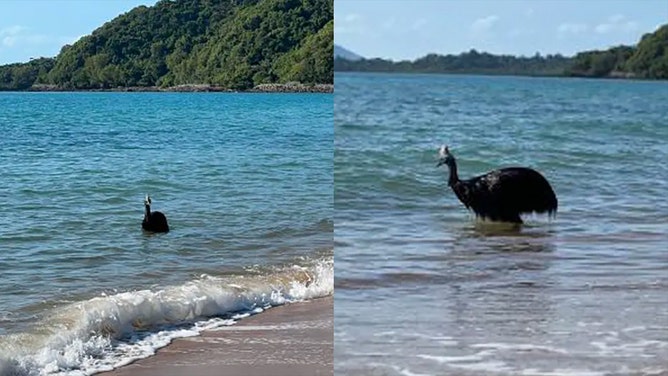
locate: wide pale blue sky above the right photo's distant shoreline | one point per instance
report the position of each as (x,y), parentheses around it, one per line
(400,29)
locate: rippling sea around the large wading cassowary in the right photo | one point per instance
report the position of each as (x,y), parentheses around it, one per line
(423,288)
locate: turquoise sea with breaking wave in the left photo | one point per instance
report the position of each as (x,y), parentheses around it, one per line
(245,181)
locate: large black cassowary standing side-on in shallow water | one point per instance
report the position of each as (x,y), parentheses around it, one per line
(501,195)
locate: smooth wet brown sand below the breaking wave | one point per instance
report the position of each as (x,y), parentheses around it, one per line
(294,339)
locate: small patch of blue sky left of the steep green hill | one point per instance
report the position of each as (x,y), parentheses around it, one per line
(34,28)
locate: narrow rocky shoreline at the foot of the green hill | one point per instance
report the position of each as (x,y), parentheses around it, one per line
(194,88)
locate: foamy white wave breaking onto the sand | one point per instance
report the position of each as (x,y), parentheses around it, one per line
(108,332)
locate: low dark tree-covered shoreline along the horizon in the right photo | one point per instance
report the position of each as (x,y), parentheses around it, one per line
(649,59)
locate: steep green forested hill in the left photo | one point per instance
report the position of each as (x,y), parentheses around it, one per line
(235,44)
